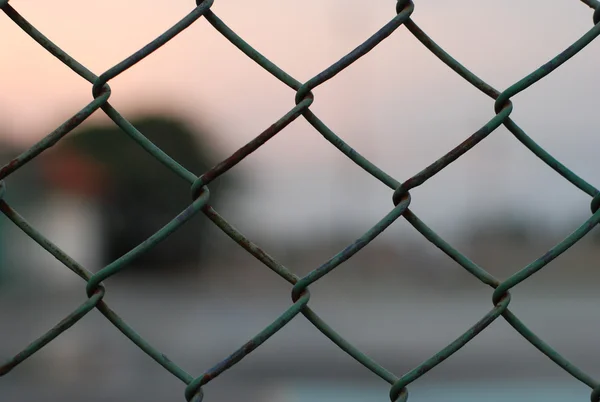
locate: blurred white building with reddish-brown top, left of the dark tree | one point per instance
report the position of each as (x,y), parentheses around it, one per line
(62,204)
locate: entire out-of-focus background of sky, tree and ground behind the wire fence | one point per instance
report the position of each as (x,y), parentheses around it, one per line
(198,296)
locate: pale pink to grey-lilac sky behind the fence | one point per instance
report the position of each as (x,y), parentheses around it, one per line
(398,106)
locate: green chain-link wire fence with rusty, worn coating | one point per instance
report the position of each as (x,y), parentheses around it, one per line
(300,293)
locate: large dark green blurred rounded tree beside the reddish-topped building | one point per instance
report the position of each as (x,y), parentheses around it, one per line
(140,194)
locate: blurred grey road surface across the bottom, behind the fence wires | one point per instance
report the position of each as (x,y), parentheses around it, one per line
(93,361)
